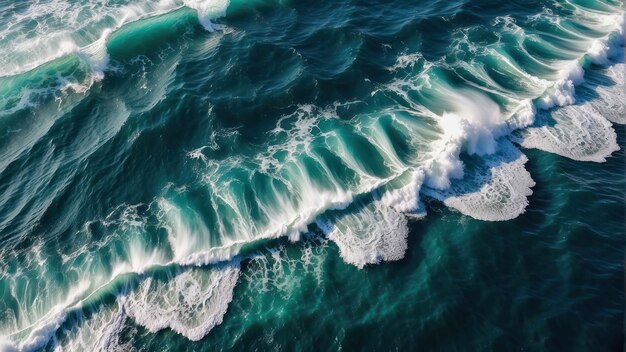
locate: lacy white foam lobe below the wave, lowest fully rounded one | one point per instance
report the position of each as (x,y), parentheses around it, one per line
(191,304)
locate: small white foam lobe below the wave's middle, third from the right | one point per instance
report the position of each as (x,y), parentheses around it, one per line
(370,235)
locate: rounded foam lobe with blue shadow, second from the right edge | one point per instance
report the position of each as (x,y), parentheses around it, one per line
(496,189)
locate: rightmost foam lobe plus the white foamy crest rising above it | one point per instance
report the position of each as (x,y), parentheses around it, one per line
(582,131)
